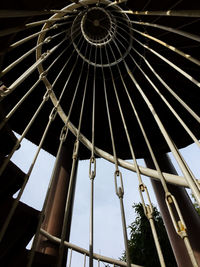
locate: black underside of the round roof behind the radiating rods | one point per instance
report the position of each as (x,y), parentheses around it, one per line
(184,88)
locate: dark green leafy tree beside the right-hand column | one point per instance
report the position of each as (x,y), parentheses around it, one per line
(141,244)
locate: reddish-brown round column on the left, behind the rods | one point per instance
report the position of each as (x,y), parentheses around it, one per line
(56,204)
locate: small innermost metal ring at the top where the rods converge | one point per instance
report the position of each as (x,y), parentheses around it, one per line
(96,26)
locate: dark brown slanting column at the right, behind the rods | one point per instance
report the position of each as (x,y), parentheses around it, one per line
(190,216)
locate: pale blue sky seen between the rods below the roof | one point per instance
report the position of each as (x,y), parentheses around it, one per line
(108,237)
